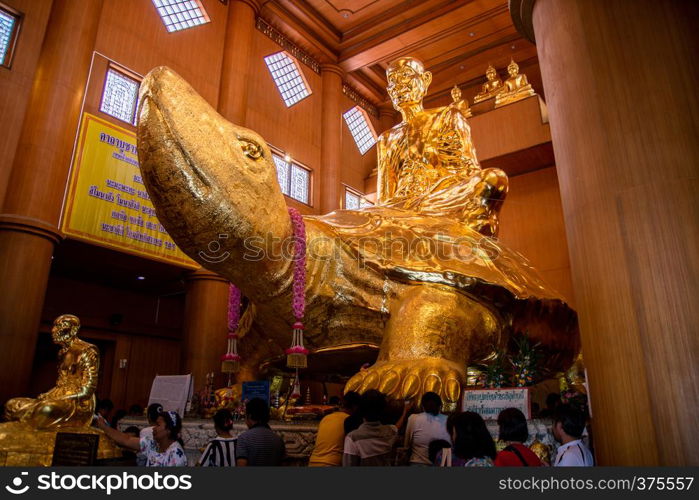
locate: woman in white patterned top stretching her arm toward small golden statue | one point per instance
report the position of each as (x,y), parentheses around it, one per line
(164,450)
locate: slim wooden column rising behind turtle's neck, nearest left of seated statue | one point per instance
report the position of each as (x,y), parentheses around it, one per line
(331,138)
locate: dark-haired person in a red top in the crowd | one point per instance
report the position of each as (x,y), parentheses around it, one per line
(514,432)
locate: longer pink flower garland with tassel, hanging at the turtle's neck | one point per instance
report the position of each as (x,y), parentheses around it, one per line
(296,355)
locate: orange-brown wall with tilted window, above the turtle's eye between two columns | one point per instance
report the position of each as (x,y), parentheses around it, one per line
(295,130)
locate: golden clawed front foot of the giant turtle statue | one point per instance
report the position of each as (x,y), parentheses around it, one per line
(411,378)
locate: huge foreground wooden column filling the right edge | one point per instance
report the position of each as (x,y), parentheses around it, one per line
(620,80)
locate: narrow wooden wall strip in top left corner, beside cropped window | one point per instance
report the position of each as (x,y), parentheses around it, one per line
(16,82)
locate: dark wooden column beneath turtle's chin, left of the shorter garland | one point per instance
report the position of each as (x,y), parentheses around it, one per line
(205,326)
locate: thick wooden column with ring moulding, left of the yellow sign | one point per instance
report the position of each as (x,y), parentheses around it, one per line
(29,219)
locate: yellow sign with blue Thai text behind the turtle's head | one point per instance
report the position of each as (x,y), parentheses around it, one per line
(107,203)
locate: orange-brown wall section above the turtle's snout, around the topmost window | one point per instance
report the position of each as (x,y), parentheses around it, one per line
(132,34)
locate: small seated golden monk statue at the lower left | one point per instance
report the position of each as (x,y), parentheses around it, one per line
(71,403)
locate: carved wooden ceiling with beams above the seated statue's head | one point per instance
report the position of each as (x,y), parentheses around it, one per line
(456,39)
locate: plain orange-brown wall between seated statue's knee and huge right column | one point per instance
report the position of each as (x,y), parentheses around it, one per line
(531,222)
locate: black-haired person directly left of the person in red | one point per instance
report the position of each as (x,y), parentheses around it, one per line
(473,444)
